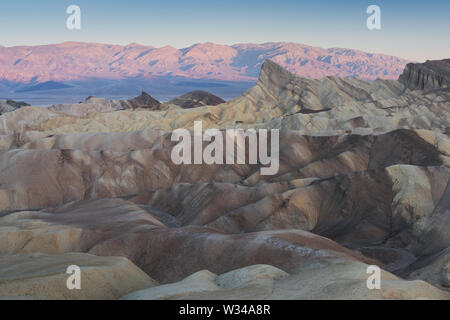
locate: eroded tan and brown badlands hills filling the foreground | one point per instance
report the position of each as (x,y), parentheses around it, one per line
(363,180)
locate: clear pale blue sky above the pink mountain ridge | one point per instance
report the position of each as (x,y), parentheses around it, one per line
(415,30)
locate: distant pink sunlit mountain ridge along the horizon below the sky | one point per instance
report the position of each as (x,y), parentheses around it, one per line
(76,61)
